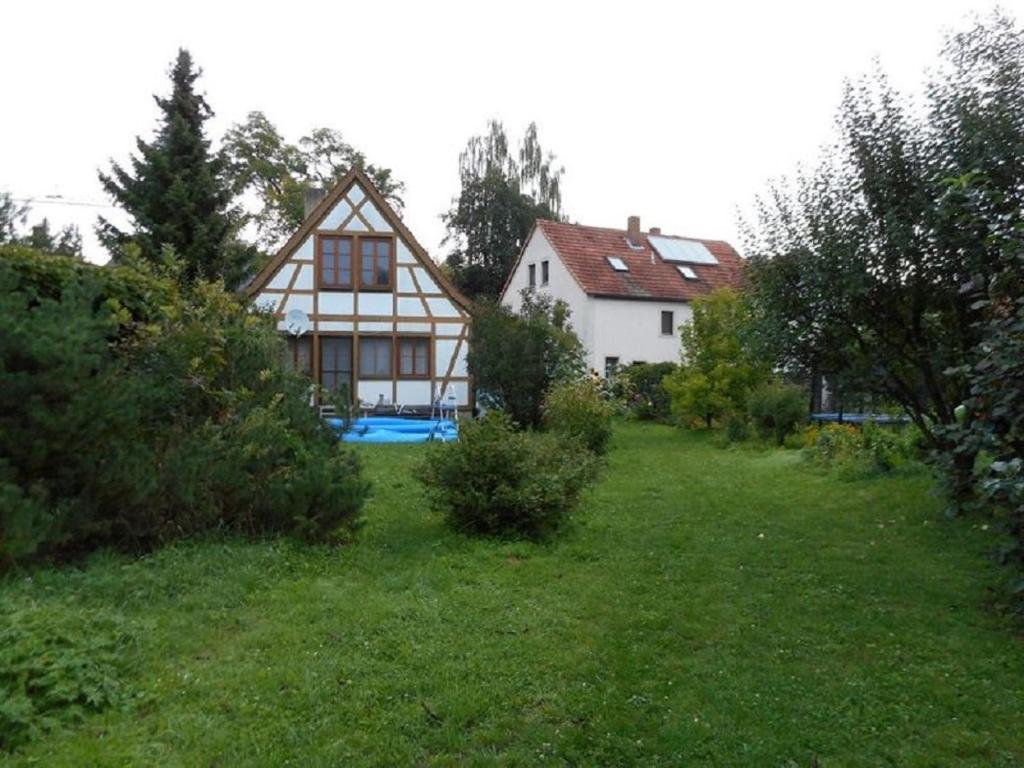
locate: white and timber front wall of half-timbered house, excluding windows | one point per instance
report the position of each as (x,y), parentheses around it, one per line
(418,306)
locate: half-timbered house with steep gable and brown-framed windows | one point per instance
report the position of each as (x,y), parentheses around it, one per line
(382,322)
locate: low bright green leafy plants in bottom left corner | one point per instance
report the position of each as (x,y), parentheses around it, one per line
(56,667)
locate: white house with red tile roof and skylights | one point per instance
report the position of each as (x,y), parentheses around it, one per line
(629,291)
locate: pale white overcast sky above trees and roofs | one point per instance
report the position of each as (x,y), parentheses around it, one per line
(676,112)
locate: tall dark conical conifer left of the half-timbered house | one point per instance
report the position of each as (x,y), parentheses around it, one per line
(177,191)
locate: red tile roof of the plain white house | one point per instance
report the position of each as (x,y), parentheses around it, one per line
(585,251)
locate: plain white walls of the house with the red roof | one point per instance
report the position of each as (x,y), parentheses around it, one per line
(609,328)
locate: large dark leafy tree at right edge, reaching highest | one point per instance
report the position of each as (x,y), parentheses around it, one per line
(862,266)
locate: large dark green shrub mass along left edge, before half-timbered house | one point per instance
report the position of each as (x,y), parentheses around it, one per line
(135,411)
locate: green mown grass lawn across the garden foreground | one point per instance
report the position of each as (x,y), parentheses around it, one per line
(708,608)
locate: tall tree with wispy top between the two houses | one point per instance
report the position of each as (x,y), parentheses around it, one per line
(504,193)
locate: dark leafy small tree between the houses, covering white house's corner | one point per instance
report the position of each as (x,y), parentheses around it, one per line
(517,358)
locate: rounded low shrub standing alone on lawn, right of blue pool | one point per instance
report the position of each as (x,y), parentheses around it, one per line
(496,481)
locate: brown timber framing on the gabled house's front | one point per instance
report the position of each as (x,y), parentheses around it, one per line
(402,245)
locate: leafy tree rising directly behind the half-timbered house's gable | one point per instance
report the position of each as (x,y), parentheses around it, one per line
(279,174)
